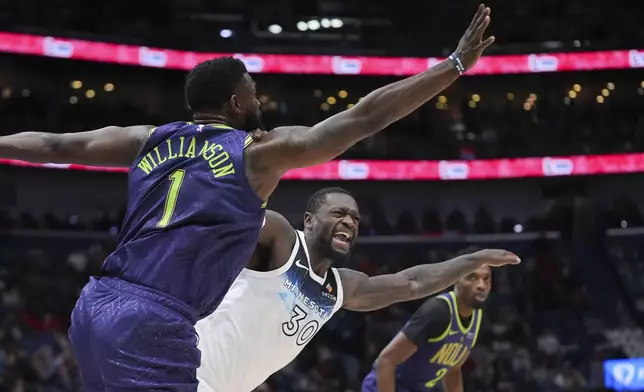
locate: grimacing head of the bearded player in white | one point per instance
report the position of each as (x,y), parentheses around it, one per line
(332,218)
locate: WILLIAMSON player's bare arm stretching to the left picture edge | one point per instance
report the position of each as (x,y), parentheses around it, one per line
(109,146)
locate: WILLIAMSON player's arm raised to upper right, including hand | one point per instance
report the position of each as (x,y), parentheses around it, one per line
(292,147)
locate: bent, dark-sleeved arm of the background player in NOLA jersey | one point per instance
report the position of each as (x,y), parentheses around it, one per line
(431,320)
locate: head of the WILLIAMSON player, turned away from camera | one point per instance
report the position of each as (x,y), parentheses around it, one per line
(223,87)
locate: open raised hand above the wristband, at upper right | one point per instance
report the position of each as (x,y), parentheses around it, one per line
(471,46)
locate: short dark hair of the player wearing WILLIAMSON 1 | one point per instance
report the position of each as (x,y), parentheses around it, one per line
(211,83)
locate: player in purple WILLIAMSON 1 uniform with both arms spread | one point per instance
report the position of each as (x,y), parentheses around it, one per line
(197,192)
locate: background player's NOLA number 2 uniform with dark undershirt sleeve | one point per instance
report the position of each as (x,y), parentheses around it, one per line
(439,350)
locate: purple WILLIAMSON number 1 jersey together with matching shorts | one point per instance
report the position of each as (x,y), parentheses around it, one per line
(191,226)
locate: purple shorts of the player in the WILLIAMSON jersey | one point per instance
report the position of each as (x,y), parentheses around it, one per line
(127,338)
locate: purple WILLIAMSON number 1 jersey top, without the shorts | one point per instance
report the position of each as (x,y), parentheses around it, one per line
(192,219)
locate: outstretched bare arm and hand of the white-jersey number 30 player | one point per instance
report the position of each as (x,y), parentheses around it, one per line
(364,293)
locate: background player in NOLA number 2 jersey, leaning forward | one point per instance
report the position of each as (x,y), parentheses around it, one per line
(427,354)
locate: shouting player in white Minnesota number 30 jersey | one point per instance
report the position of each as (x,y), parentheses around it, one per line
(289,291)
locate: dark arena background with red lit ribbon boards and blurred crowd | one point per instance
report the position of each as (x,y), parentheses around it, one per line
(539,150)
